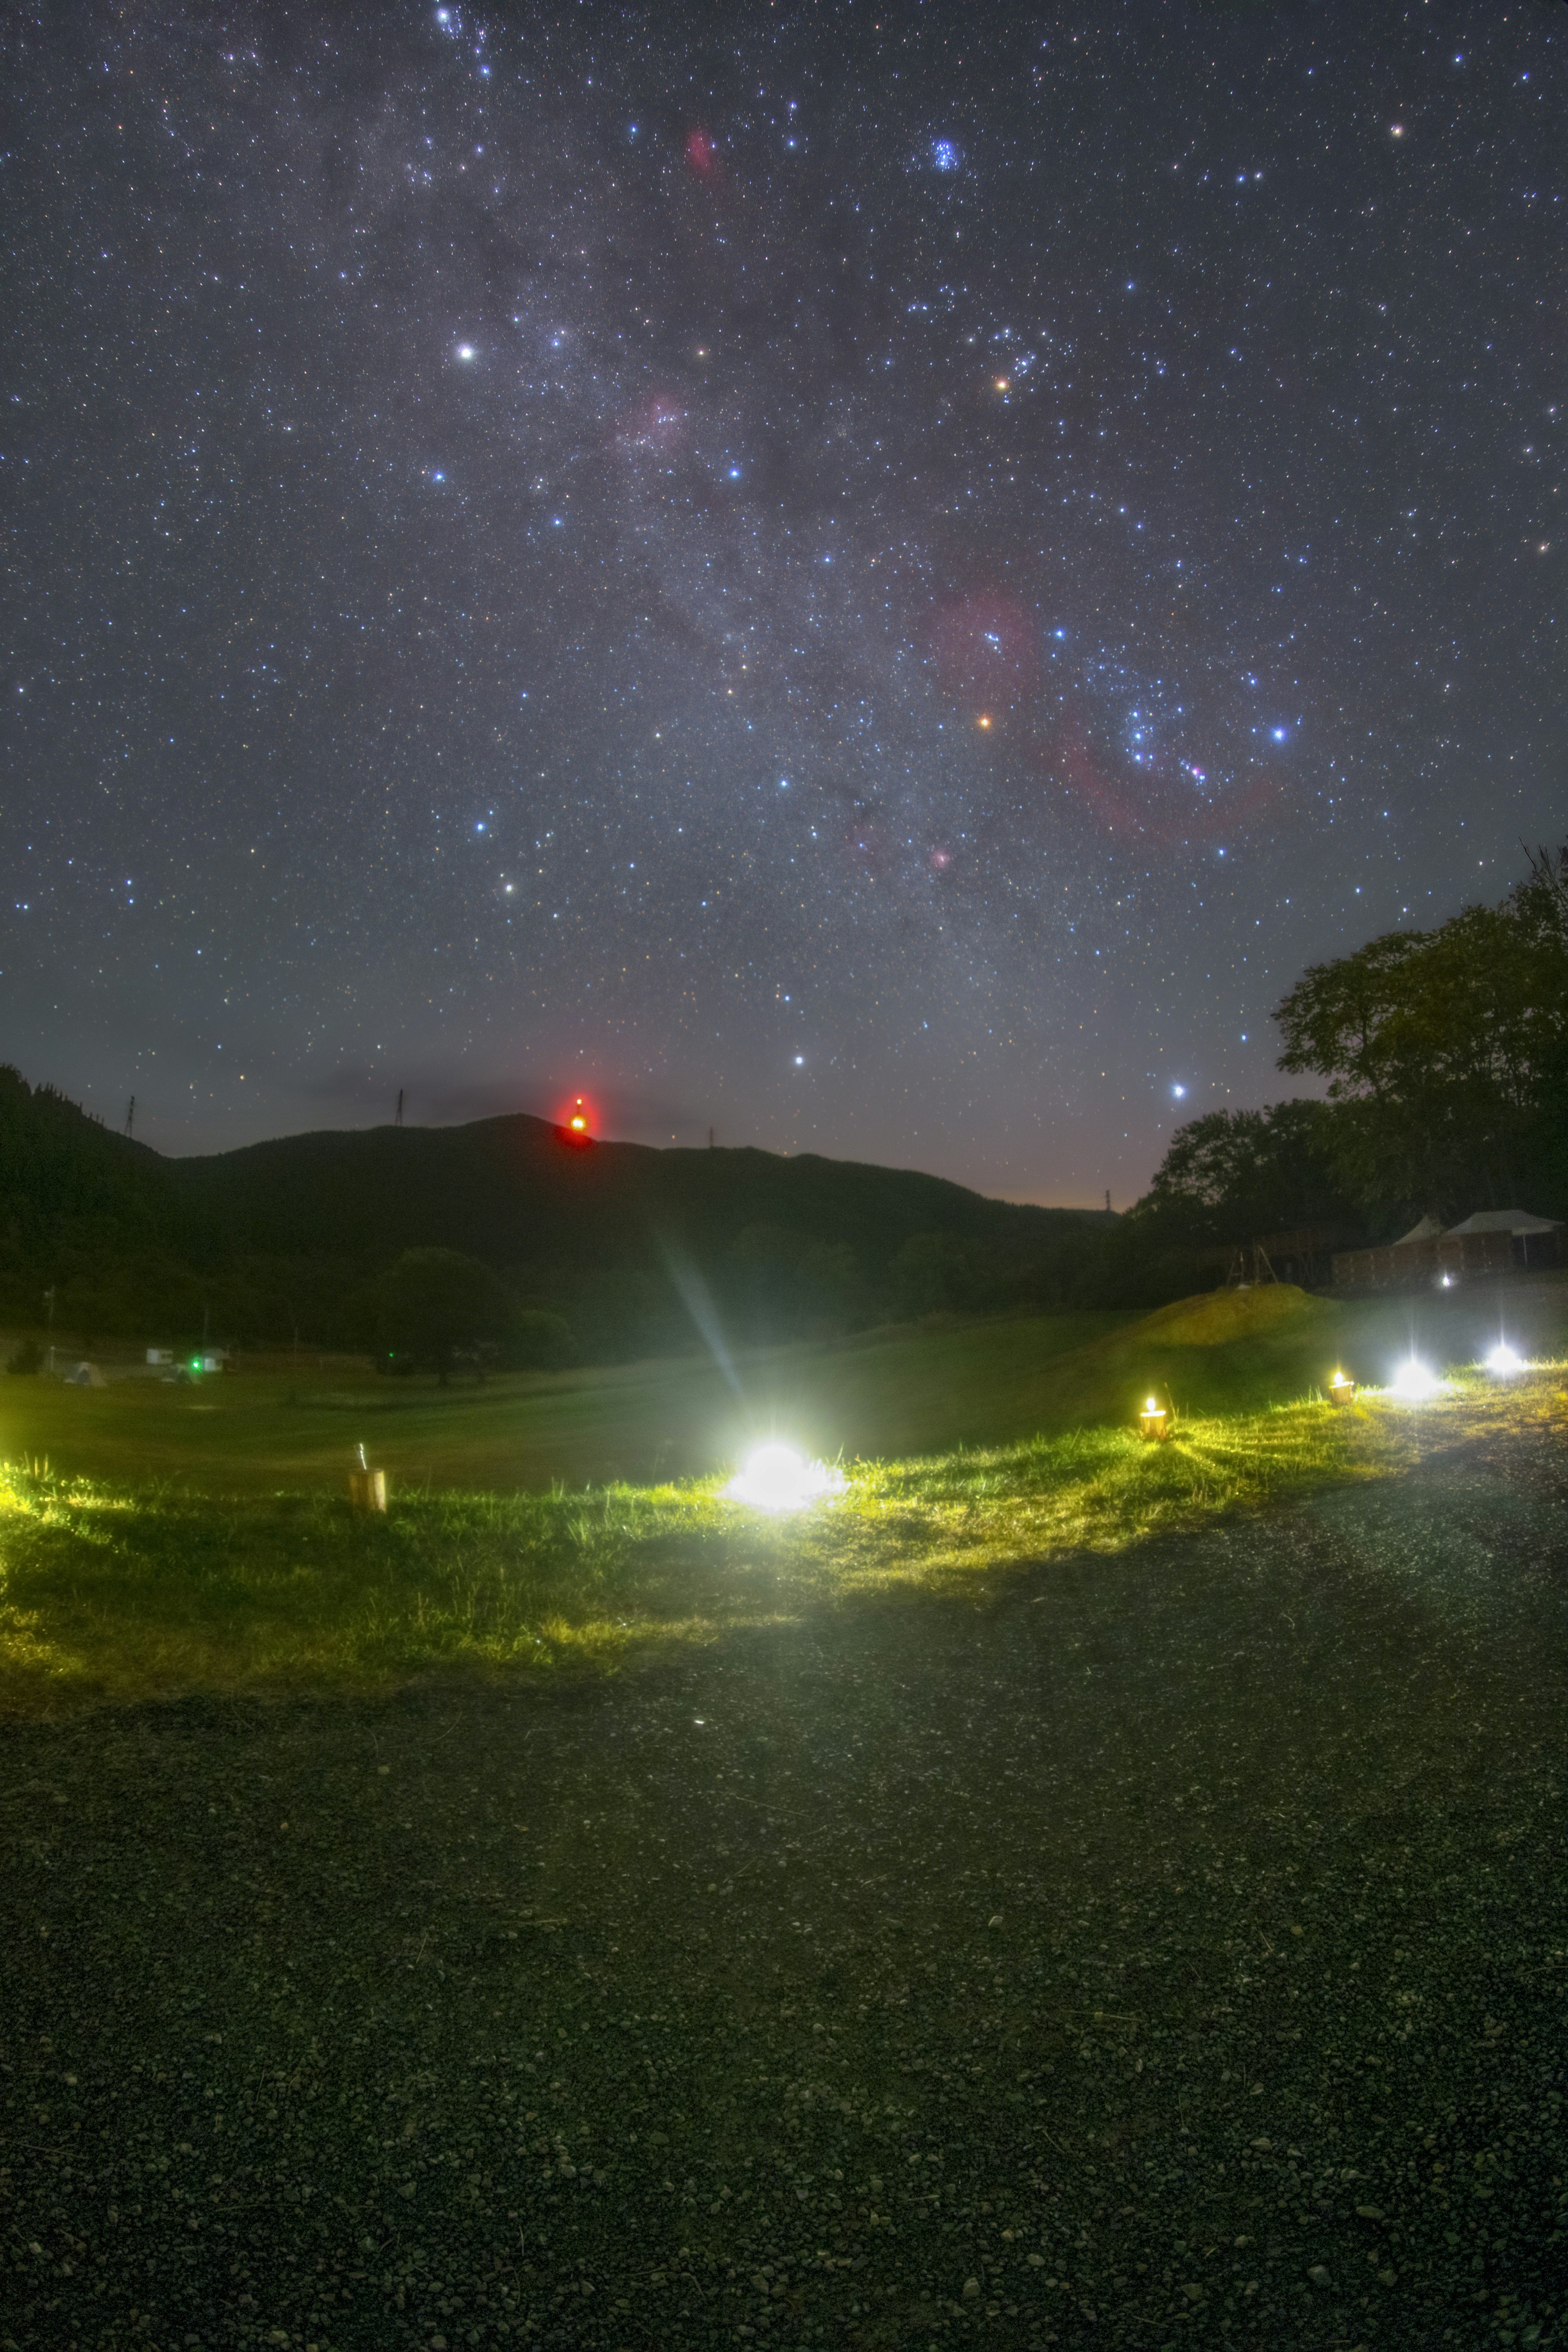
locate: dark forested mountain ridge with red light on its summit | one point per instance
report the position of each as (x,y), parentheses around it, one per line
(622,1238)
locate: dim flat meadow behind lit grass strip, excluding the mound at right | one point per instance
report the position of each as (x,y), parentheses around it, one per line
(260,1431)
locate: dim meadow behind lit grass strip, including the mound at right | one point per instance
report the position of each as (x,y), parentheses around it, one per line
(885,1396)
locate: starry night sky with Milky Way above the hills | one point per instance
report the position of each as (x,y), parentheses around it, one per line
(873,580)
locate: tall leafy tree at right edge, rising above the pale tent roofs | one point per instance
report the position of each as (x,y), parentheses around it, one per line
(1447,1055)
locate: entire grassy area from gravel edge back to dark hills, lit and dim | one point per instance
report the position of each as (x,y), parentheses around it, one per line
(970,1452)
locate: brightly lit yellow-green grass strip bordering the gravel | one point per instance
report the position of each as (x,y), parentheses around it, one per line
(128,1593)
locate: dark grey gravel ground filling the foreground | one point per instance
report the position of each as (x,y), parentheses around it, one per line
(1167,1951)
